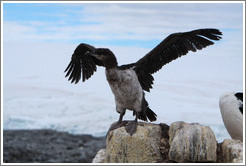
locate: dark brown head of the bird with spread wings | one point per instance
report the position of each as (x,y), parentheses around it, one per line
(106,56)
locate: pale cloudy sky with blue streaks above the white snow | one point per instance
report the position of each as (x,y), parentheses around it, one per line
(119,24)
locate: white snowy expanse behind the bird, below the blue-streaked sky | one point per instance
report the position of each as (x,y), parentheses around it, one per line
(37,96)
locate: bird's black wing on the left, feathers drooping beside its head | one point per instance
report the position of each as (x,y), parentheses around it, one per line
(82,63)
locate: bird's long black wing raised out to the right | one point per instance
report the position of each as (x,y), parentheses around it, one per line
(172,47)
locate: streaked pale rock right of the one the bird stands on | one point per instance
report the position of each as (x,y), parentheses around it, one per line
(191,143)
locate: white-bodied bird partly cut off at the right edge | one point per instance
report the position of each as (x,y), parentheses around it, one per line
(231,108)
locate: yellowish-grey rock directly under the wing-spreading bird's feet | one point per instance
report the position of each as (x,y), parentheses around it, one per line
(142,147)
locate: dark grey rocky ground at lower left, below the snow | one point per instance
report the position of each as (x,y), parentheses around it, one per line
(49,146)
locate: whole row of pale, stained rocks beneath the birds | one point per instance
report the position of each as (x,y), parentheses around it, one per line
(155,143)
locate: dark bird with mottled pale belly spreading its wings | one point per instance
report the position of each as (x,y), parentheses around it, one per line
(128,82)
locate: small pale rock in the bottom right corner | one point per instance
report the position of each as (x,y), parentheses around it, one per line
(232,151)
